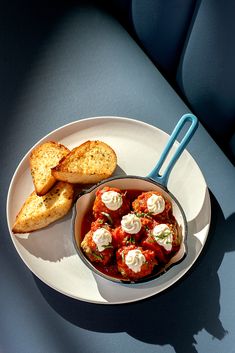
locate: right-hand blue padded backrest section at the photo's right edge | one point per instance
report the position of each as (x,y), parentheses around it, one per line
(206,73)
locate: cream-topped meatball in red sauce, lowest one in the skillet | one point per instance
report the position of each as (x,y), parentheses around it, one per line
(135,263)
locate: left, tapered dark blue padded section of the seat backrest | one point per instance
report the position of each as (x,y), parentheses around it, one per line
(161,27)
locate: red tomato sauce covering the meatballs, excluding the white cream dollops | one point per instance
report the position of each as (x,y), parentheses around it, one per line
(133,201)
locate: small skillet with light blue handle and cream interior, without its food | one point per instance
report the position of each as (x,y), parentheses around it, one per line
(152,182)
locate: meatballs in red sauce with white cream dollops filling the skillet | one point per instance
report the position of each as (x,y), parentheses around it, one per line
(130,241)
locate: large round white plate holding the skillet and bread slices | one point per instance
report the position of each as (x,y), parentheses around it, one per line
(50,254)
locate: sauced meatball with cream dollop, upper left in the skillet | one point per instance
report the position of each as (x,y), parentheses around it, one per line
(110,204)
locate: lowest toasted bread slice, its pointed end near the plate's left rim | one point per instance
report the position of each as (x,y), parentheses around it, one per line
(39,211)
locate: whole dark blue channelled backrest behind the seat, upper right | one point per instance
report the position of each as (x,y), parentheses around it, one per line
(192,43)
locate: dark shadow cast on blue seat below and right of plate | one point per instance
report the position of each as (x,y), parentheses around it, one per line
(189,306)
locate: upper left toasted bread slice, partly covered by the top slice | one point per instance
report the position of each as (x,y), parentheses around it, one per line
(42,159)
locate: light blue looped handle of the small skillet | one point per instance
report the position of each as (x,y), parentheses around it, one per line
(154,174)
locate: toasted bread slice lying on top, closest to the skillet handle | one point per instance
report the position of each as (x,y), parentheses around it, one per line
(88,163)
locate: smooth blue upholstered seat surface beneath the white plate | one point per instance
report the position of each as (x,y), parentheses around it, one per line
(61,64)
